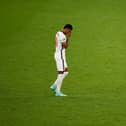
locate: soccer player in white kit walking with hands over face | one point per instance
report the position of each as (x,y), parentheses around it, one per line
(62,42)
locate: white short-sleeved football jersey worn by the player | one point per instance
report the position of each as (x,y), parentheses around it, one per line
(60,38)
